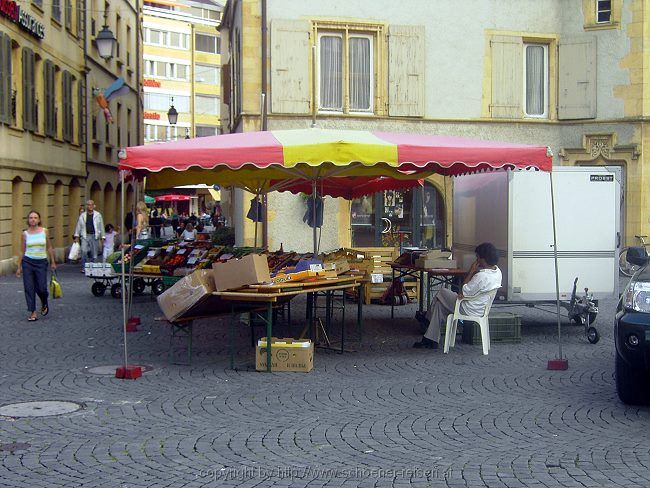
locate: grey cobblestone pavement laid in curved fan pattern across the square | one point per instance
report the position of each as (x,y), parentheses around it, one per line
(385,415)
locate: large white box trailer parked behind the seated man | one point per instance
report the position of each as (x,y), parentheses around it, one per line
(512,209)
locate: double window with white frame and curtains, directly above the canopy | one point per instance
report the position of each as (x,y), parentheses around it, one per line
(346,74)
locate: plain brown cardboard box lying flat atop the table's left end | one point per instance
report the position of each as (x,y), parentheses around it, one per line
(249,270)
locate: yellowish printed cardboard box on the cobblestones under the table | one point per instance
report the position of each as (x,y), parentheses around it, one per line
(286,355)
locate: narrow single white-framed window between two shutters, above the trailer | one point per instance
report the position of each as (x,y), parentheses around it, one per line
(536,80)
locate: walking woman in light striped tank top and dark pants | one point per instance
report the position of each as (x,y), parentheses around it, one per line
(32,264)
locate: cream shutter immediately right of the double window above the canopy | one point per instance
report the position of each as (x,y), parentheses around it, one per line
(406,49)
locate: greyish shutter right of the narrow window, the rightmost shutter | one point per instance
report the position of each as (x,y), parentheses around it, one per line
(577,79)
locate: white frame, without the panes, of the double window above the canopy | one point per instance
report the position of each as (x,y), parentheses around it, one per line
(345,78)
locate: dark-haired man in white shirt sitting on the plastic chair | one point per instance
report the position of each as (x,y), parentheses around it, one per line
(484,275)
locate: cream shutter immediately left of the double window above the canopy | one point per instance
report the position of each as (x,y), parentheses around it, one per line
(290,68)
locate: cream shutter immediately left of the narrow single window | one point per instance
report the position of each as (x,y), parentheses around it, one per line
(507,67)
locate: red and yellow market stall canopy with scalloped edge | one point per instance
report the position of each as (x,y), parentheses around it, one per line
(256,159)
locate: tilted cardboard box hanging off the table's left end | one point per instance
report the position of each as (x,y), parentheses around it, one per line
(185,296)
